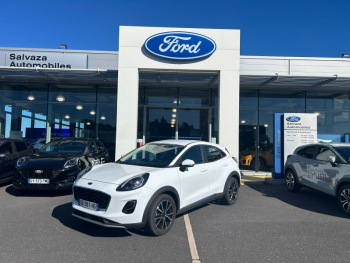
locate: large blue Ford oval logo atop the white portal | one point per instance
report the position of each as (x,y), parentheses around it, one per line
(179,45)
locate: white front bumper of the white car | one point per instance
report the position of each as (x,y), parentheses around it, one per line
(112,215)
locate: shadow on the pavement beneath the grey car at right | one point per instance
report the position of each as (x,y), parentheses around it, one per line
(307,199)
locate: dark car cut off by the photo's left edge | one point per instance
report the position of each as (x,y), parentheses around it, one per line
(10,151)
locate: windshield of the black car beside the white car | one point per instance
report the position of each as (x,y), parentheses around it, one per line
(66,147)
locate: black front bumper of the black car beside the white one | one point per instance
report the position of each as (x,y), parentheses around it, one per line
(60,180)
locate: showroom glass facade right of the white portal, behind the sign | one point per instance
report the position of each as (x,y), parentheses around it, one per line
(257,108)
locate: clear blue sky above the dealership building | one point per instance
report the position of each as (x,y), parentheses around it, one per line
(268,27)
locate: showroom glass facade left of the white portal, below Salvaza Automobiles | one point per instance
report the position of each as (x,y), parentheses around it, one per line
(27,111)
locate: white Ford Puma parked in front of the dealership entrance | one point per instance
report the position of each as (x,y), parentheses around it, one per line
(150,185)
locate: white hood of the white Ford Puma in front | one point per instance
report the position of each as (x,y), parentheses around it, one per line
(115,173)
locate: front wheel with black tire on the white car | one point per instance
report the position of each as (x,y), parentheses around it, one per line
(161,215)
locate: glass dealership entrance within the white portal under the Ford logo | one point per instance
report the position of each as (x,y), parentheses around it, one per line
(178,105)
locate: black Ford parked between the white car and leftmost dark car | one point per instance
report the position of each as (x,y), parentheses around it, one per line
(56,165)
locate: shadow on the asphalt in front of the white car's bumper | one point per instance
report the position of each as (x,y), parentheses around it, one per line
(64,214)
